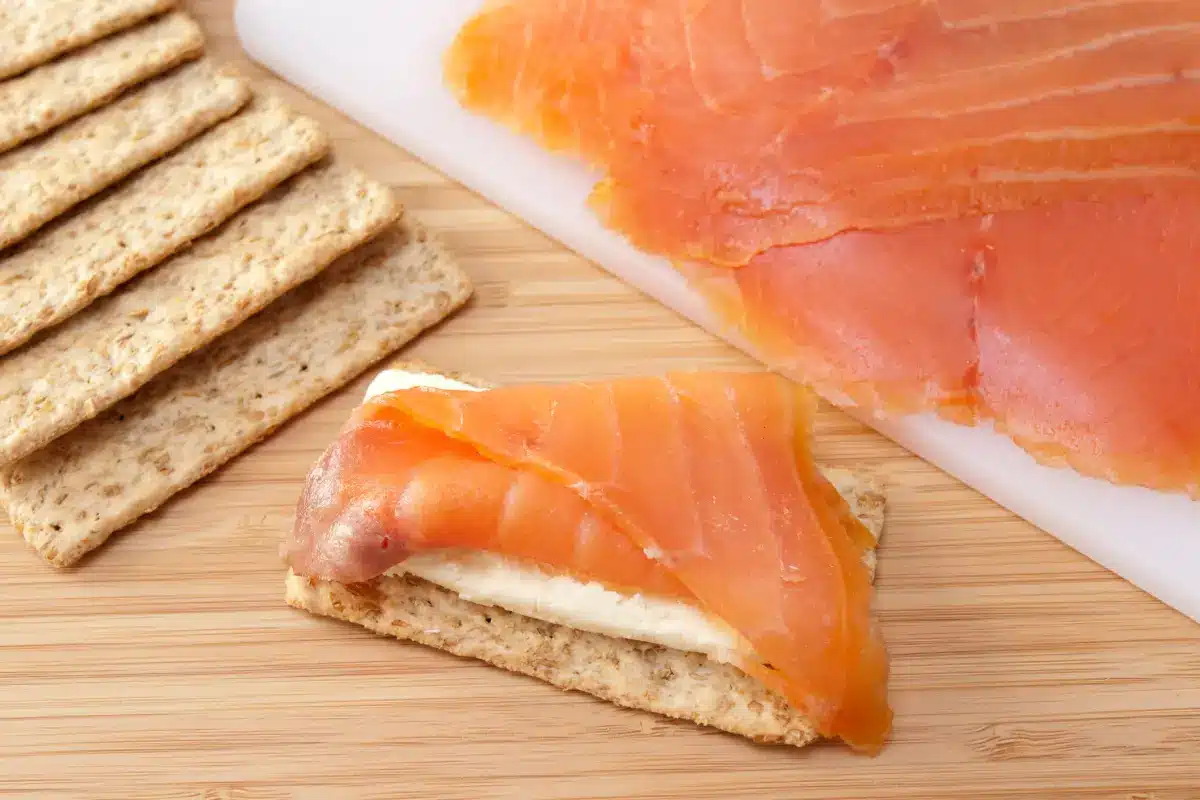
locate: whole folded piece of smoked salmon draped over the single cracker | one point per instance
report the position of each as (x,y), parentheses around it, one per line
(695,486)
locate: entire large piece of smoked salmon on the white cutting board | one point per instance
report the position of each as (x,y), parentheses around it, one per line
(987,210)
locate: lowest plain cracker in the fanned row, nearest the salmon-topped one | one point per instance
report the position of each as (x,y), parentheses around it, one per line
(69,498)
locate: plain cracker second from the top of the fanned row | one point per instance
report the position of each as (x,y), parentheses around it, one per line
(53,94)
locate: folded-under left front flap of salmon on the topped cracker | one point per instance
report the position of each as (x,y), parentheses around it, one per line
(388,489)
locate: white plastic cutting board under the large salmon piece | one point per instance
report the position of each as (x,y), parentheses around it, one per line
(380,62)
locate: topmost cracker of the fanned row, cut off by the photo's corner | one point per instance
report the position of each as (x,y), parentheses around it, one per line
(34,32)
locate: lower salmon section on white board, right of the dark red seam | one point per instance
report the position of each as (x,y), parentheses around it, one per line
(1089,338)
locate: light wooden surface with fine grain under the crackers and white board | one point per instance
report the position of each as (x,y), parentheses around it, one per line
(169,667)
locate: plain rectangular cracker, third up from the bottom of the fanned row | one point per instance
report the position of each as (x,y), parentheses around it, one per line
(87,255)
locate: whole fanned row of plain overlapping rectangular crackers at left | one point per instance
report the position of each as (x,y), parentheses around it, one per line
(183,267)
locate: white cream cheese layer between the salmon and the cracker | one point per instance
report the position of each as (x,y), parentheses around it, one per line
(491,580)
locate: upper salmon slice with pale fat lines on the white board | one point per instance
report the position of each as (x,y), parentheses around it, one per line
(734,127)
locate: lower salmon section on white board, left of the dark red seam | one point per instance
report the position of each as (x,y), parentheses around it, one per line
(881,321)
